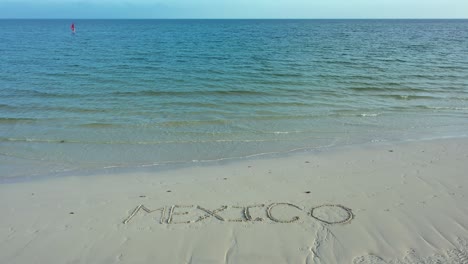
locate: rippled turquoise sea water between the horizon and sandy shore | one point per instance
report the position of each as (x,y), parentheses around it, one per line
(137,93)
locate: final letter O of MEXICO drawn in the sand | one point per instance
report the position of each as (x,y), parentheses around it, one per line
(332,214)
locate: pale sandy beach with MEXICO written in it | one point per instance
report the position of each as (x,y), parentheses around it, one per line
(382,203)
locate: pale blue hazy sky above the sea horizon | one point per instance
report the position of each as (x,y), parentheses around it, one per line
(233,9)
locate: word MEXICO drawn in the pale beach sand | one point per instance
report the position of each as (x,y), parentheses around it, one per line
(275,212)
